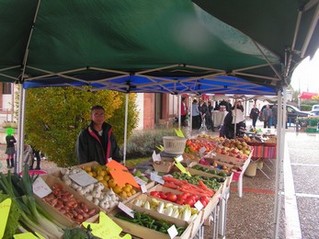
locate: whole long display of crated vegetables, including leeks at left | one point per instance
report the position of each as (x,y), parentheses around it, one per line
(175,202)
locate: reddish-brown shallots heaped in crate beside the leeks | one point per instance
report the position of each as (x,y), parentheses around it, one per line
(68,205)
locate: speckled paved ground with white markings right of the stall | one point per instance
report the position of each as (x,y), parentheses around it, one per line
(252,216)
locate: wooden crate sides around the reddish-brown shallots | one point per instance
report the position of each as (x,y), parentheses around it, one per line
(64,220)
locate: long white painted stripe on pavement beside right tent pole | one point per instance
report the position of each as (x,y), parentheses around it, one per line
(293,230)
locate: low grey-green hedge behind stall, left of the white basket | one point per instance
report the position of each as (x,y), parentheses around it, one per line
(143,143)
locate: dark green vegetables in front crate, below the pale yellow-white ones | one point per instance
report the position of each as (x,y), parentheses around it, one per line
(146,220)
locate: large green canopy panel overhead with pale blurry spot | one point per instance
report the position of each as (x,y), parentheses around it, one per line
(94,41)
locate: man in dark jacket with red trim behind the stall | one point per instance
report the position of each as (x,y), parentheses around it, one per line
(97,142)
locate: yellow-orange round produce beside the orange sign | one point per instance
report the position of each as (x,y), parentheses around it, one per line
(102,174)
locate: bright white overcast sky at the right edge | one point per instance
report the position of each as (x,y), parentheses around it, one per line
(306,75)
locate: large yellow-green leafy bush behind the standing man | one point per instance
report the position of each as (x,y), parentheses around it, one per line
(55,116)
